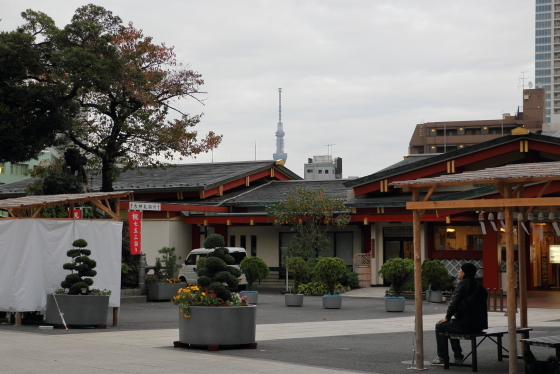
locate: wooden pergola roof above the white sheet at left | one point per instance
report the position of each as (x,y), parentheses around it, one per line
(31,206)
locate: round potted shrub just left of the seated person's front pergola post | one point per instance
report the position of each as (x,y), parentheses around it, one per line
(398,271)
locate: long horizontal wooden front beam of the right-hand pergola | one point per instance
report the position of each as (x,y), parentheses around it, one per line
(483,203)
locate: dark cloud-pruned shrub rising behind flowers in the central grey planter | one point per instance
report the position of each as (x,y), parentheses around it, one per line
(216,271)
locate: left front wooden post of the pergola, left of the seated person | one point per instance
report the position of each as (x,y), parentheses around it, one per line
(416,218)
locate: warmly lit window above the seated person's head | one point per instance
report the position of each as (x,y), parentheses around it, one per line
(458,238)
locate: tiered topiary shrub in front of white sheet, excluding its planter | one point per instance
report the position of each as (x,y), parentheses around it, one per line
(81,267)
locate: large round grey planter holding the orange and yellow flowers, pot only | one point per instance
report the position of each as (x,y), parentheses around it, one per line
(232,325)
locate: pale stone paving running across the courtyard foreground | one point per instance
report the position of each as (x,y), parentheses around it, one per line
(151,351)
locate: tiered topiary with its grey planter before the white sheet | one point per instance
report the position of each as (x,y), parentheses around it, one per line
(76,303)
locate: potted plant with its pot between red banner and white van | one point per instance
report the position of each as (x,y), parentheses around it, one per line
(163,285)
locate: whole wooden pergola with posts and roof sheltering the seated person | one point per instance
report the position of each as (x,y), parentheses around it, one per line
(509,181)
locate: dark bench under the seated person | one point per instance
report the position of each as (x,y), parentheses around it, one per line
(491,333)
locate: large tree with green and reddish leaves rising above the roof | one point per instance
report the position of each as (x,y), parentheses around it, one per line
(113,90)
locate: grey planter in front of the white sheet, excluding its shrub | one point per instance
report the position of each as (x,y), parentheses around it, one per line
(82,310)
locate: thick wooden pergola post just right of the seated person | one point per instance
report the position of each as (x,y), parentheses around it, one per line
(511,297)
